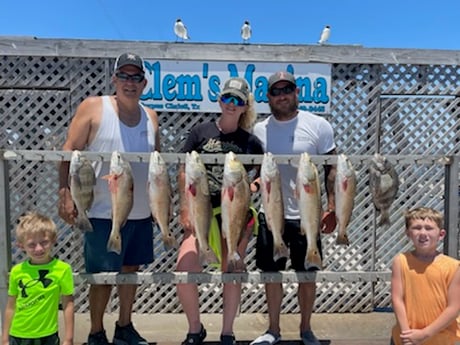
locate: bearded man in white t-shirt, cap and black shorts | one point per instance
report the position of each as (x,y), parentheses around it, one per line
(290,131)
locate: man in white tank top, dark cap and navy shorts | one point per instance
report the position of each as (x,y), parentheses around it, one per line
(106,124)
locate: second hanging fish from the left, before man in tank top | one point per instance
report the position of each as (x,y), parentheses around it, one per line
(121,187)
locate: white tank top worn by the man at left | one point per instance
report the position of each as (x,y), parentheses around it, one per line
(113,135)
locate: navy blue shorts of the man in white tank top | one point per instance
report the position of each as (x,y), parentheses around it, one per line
(136,245)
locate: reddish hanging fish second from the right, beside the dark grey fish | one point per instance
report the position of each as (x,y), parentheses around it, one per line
(345,191)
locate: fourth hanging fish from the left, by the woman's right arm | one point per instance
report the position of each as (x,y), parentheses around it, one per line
(199,204)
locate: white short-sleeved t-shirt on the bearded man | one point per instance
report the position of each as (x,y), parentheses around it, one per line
(305,133)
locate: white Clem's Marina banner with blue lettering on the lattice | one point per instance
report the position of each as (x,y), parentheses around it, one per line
(194,86)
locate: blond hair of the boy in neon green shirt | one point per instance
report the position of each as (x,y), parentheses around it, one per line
(35,223)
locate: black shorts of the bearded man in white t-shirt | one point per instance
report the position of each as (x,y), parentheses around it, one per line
(294,240)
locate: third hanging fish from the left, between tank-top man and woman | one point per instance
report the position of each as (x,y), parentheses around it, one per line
(159,190)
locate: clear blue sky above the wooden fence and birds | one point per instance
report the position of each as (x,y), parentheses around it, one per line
(424,24)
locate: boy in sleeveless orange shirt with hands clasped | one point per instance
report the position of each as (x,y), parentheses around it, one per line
(425,285)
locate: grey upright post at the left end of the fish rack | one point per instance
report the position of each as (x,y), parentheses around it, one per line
(5,235)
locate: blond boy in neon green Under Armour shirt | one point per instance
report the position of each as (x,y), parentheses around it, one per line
(36,286)
